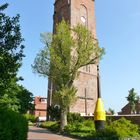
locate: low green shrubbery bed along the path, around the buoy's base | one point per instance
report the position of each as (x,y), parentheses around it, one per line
(119,129)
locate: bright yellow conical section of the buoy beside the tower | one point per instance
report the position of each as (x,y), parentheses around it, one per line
(99,113)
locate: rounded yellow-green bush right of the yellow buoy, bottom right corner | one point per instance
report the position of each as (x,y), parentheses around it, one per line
(117,130)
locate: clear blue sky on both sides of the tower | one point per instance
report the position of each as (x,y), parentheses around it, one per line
(118,31)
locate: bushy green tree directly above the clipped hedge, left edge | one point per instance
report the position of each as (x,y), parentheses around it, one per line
(17,98)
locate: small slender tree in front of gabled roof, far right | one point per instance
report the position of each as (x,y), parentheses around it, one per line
(132,99)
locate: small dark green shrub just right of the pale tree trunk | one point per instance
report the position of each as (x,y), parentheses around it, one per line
(74,118)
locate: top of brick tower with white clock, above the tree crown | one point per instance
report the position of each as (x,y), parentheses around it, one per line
(74,12)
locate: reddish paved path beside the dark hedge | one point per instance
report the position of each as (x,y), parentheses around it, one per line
(36,133)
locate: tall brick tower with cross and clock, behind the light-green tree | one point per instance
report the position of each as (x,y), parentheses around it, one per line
(79,11)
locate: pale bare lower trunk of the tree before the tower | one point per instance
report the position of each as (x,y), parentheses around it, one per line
(63,119)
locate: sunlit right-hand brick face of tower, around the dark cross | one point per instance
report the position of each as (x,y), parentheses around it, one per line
(87,79)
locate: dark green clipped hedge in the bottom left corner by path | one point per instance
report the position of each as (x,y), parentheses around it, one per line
(13,126)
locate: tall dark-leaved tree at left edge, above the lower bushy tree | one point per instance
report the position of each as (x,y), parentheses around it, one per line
(11,50)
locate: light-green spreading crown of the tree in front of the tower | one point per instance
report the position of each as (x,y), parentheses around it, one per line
(65,52)
